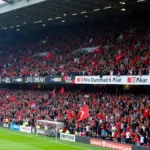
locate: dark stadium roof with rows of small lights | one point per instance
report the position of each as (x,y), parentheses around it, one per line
(15,14)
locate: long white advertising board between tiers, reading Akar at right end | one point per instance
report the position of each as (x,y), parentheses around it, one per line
(116,80)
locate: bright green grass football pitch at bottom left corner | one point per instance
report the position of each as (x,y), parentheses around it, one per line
(13,140)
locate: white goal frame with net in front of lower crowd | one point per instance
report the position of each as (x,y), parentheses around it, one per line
(48,128)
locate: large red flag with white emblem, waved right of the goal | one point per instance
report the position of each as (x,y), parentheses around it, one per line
(84,113)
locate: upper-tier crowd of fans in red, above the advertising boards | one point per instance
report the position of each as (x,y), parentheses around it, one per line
(123,51)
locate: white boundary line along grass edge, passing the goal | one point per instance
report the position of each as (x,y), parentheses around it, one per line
(30,136)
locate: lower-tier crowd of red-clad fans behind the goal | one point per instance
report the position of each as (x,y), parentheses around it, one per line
(117,117)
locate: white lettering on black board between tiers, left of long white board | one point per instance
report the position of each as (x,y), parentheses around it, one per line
(35,80)
